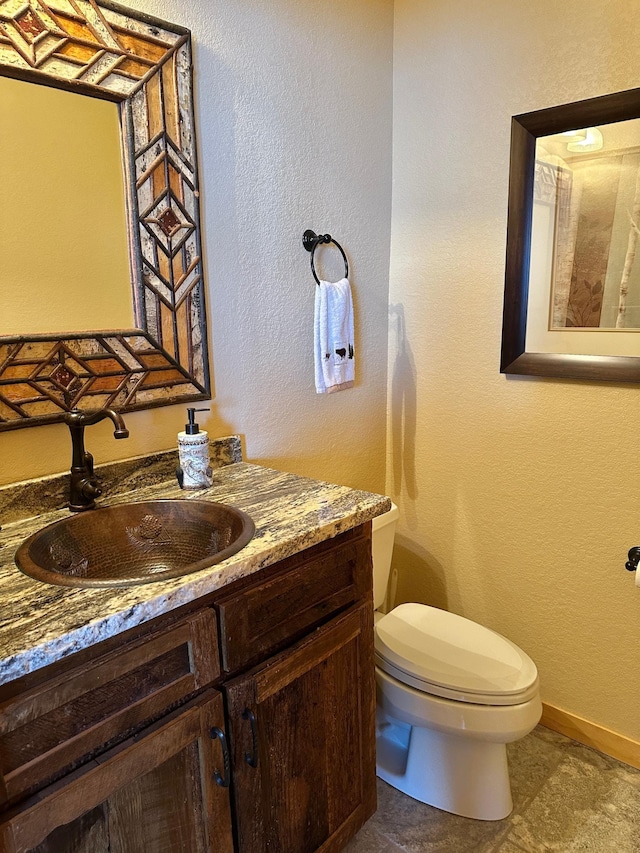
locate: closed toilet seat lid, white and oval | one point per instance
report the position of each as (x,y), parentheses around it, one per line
(443,653)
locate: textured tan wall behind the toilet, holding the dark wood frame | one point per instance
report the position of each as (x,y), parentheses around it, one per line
(518,496)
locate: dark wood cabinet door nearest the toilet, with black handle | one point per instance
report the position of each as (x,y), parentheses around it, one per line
(302,732)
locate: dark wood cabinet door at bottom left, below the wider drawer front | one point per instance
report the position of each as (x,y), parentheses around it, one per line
(156,792)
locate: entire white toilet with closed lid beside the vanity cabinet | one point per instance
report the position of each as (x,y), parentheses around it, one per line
(450,695)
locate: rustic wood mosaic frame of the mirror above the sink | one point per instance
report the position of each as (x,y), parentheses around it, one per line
(105,51)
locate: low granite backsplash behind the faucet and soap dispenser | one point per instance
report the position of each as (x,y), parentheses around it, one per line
(33,497)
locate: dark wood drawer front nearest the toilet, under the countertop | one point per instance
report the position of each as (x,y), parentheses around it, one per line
(268,616)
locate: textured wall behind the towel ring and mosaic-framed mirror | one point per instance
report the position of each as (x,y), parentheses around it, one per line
(293,109)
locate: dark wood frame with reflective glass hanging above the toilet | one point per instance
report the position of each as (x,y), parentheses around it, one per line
(572,282)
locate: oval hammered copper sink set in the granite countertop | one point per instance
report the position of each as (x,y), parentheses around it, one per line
(135,543)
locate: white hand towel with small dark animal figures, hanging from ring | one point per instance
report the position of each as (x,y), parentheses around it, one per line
(333,337)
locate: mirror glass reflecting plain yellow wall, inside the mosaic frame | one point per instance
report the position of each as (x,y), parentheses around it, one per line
(65,260)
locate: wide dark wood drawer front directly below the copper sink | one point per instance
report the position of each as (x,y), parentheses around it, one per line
(58,724)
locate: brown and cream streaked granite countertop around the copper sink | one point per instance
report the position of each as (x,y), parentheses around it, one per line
(41,623)
